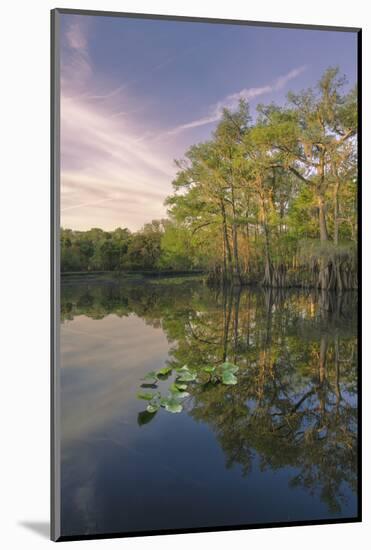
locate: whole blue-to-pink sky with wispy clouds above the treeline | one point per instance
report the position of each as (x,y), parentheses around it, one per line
(136,93)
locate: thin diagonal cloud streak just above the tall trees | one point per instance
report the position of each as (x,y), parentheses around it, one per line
(231,101)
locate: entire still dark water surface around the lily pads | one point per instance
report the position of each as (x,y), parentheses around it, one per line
(279,446)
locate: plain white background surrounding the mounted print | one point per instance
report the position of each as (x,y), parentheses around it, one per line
(25,266)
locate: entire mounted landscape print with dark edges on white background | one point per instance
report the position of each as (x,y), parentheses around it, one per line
(205,274)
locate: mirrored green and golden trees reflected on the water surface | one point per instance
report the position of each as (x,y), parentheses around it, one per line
(296,401)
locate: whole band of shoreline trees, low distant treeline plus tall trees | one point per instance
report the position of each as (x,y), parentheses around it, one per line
(270,202)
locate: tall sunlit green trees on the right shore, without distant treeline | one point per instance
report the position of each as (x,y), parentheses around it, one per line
(254,191)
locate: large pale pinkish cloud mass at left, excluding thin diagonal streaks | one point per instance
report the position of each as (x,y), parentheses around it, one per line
(110,175)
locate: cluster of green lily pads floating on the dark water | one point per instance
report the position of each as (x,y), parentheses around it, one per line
(177,392)
